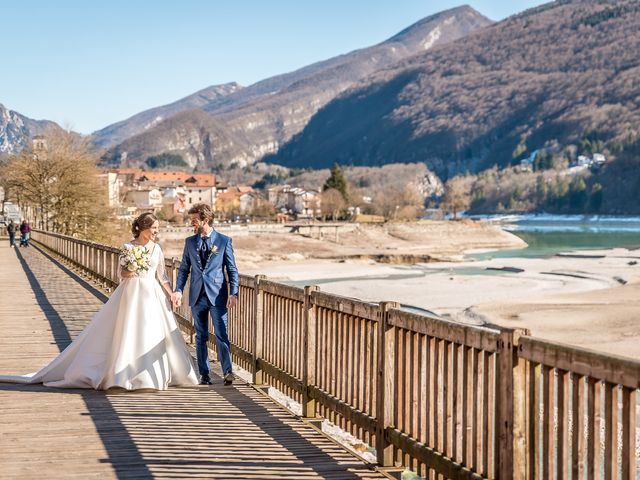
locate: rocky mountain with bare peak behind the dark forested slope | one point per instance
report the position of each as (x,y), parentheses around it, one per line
(267,114)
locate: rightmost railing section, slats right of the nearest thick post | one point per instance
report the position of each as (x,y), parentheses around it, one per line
(588,416)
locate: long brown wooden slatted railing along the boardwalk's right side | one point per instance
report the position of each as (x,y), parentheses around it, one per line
(444,399)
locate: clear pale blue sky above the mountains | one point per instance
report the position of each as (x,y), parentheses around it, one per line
(88,64)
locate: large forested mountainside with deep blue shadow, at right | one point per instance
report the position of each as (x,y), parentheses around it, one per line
(564,73)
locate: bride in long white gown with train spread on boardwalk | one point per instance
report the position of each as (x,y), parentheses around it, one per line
(133,342)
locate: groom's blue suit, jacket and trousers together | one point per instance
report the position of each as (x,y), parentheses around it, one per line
(209,290)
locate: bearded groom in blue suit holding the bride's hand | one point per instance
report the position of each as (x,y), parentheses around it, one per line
(206,256)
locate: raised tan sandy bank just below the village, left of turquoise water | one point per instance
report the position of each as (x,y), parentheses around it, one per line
(391,243)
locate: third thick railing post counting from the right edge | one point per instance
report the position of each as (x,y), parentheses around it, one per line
(309,352)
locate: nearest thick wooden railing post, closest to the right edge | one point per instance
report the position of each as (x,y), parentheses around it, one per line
(510,428)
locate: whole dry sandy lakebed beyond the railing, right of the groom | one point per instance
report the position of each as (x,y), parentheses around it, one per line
(590,299)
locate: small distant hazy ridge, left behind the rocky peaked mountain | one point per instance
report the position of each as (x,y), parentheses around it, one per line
(121,131)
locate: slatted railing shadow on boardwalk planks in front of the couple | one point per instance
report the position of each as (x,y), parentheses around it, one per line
(229,432)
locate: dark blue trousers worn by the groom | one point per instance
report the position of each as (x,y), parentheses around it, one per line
(200,311)
